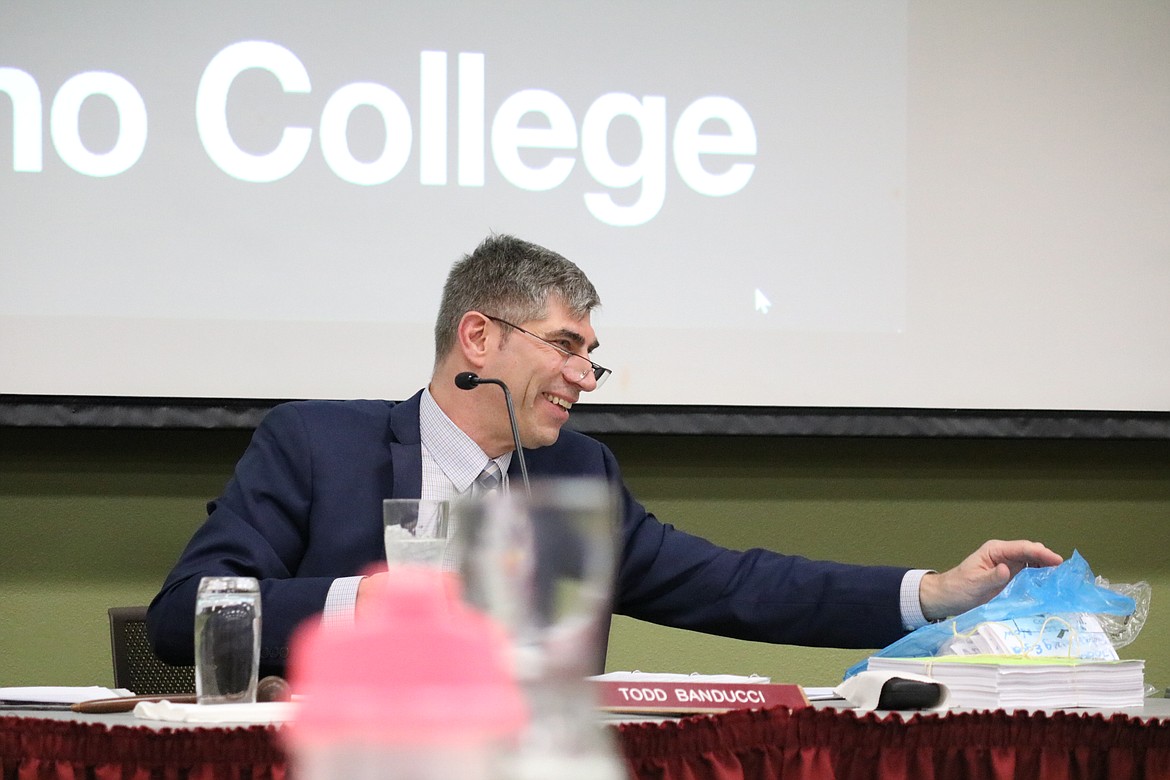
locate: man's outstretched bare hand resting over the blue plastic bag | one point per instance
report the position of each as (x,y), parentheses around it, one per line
(980,577)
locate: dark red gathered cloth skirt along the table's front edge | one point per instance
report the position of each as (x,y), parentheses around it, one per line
(752,744)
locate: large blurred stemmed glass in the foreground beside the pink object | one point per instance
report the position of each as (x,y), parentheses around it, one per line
(542,565)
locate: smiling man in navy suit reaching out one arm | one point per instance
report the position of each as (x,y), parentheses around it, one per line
(304,510)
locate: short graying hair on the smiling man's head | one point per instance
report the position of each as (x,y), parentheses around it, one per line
(513,280)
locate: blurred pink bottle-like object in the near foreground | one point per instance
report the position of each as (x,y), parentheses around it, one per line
(425,684)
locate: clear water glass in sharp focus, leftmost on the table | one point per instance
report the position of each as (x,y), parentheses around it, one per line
(228,640)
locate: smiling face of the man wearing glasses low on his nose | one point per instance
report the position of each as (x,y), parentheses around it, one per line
(543,391)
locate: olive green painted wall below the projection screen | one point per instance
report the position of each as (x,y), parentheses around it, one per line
(95,519)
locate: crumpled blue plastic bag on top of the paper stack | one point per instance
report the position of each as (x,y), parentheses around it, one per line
(1068,589)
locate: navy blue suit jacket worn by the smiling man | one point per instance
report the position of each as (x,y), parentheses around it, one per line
(305,508)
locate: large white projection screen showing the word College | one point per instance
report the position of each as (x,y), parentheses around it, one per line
(879,205)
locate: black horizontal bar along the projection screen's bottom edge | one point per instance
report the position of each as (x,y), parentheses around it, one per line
(97,412)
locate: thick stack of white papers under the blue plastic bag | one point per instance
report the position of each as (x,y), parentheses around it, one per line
(1016,682)
